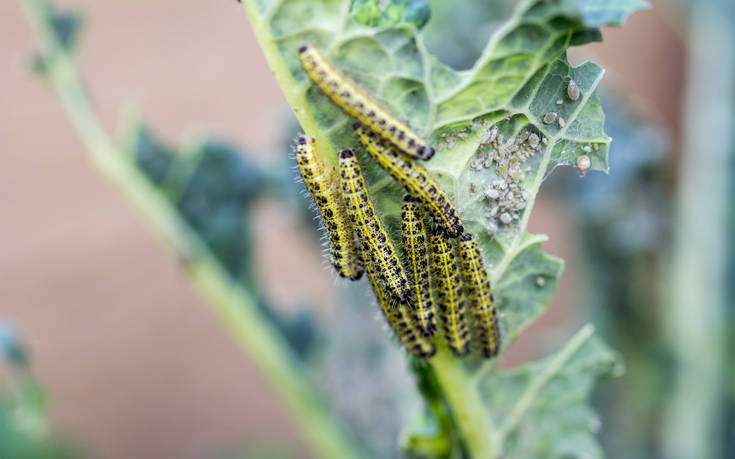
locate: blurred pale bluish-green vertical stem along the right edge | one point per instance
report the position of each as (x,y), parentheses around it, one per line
(696,288)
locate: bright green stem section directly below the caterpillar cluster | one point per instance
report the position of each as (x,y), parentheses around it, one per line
(476,427)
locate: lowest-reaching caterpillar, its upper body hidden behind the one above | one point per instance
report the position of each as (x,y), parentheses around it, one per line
(399,318)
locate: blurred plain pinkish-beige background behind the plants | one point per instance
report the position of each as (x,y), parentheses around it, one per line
(134,363)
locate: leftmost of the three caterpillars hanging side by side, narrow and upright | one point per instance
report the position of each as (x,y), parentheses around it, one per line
(416,255)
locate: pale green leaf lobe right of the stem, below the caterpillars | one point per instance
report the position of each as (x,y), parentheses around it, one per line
(541,408)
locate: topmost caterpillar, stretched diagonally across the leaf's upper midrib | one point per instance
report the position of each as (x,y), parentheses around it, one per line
(357,103)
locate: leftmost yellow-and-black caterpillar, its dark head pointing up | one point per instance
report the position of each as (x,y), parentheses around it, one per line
(323,187)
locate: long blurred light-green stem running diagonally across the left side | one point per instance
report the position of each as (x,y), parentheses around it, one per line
(233,305)
